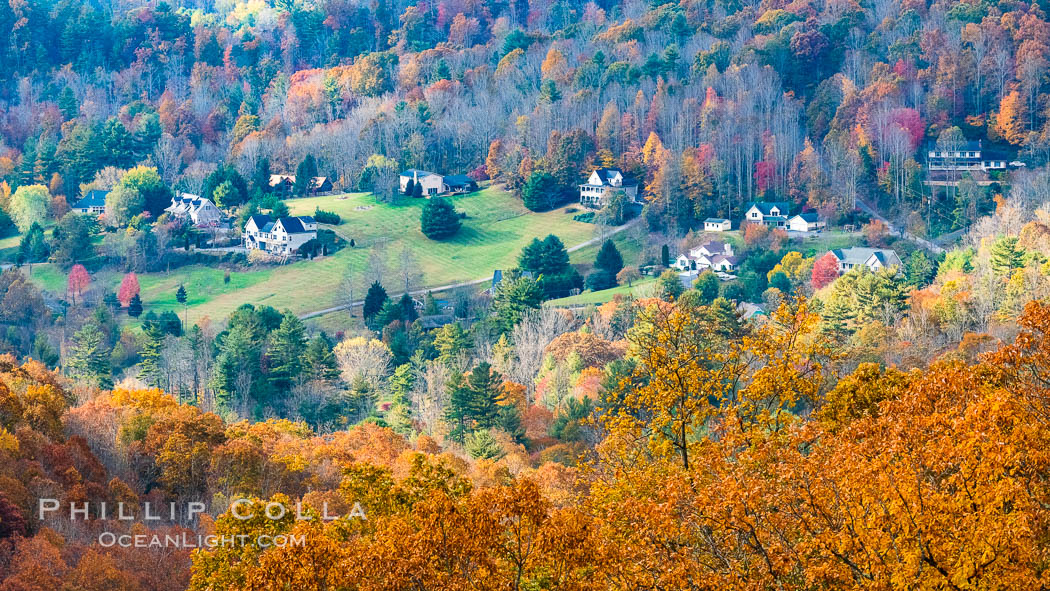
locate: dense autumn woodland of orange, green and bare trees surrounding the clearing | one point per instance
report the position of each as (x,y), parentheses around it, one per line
(876,430)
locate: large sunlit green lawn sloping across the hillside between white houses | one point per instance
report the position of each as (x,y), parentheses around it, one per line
(496,229)
